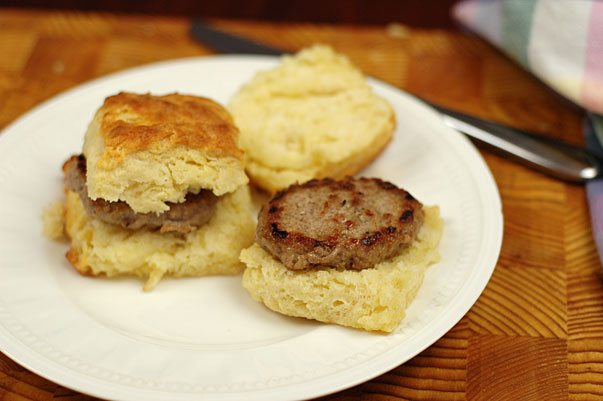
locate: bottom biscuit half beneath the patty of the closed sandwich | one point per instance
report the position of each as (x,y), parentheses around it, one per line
(101,249)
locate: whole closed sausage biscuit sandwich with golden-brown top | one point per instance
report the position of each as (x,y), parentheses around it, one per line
(160,189)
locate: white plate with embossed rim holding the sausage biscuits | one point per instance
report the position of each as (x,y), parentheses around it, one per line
(205,337)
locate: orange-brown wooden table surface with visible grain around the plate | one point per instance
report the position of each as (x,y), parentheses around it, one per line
(536,332)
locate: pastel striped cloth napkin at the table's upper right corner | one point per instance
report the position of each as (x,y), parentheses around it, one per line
(560,42)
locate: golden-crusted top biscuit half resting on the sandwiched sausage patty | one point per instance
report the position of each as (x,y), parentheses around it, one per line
(148,150)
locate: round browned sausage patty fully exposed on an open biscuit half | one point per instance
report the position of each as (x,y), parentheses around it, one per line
(351,224)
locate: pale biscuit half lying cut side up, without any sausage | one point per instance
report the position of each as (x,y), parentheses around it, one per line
(313,116)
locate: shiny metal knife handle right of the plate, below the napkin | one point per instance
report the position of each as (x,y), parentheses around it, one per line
(558,159)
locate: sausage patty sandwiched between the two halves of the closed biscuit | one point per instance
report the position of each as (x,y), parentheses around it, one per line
(181,217)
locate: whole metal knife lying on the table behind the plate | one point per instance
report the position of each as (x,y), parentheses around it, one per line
(555,158)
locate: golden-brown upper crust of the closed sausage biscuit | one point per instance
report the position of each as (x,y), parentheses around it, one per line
(132,123)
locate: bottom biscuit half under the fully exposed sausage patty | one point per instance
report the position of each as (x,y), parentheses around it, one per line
(372,299)
